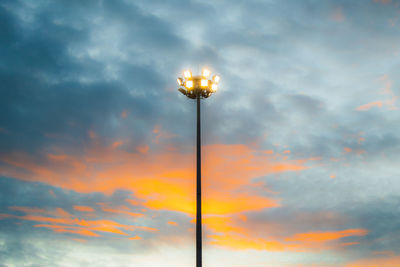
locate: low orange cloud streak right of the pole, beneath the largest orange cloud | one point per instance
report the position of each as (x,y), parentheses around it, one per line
(235,233)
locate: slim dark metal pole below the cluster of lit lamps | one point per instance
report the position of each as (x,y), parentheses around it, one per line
(198,187)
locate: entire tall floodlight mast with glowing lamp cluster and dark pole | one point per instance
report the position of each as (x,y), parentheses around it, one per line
(198,87)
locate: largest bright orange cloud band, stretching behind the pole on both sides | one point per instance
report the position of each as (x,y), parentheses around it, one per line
(160,181)
